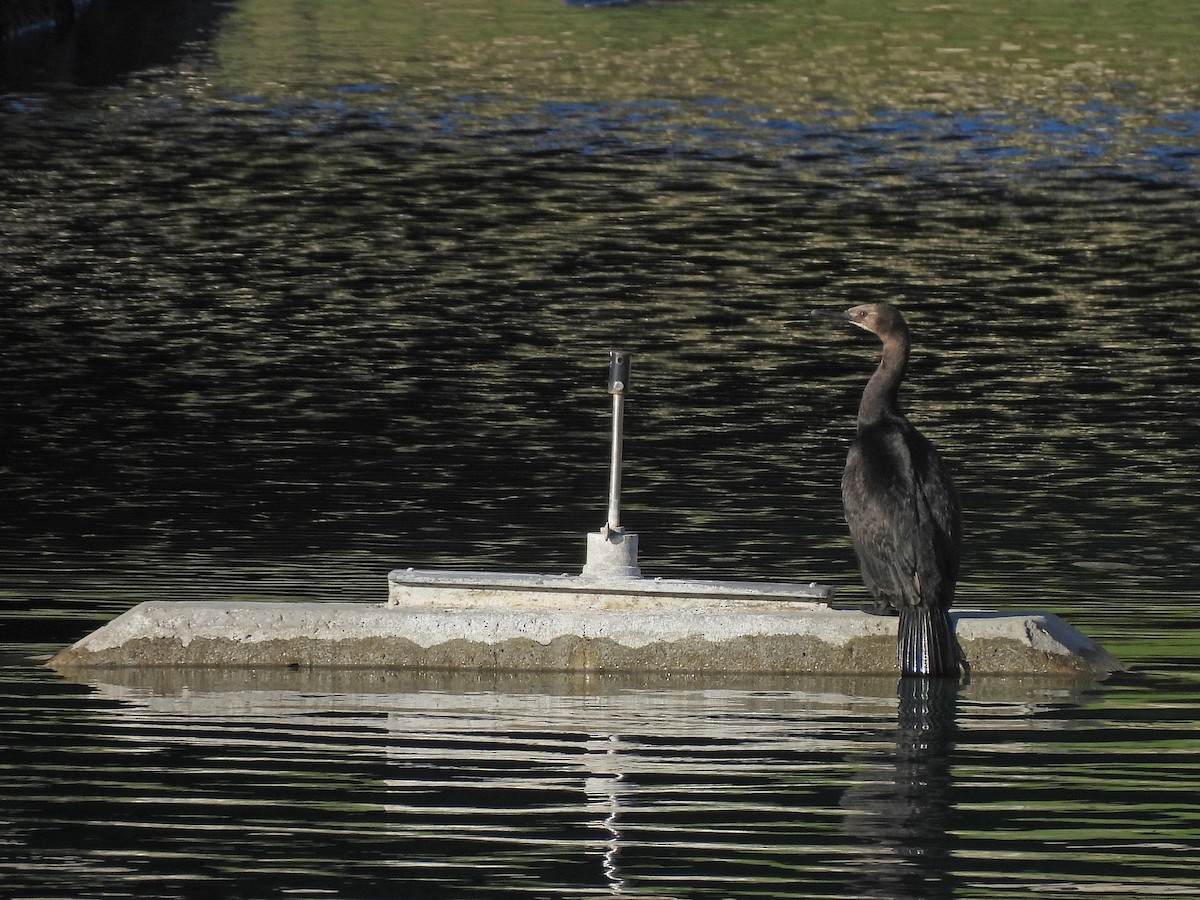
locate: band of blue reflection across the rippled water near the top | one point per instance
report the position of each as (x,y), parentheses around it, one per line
(716,128)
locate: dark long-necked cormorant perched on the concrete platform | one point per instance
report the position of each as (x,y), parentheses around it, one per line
(902,508)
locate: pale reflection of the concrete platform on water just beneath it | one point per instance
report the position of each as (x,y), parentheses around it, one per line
(584,703)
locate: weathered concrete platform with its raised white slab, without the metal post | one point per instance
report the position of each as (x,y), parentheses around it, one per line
(544,623)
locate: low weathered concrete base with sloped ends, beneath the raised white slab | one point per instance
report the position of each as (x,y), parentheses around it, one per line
(355,635)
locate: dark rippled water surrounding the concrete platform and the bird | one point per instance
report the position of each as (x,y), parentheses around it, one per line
(327,291)
